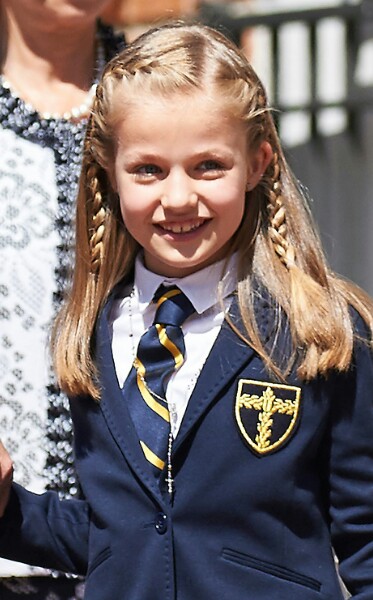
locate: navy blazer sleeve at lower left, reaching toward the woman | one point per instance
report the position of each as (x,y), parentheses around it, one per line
(44,531)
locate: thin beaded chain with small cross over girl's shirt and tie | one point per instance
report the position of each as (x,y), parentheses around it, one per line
(172,407)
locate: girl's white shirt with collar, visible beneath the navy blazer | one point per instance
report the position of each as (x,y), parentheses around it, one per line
(134,313)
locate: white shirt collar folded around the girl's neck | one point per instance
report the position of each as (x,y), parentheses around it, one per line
(204,288)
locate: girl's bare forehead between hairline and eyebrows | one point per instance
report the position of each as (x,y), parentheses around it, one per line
(178,126)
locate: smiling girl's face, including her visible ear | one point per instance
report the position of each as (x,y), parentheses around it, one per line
(181,171)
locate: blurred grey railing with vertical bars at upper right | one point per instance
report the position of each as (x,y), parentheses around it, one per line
(233,19)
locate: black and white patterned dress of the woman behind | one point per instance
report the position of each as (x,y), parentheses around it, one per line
(40,162)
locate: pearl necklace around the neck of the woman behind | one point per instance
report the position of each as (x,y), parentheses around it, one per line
(76,113)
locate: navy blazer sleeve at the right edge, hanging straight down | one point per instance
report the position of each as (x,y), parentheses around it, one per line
(351,472)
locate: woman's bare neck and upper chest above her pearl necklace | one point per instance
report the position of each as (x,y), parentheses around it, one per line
(51,69)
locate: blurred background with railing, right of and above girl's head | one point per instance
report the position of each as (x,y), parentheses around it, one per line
(316,60)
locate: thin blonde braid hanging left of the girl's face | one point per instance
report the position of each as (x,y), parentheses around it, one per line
(98,216)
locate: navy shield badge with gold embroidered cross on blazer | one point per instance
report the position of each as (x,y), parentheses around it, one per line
(266,413)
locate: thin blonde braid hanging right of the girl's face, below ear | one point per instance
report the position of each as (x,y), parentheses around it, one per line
(277,218)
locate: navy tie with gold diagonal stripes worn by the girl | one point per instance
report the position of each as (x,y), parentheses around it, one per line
(160,351)
